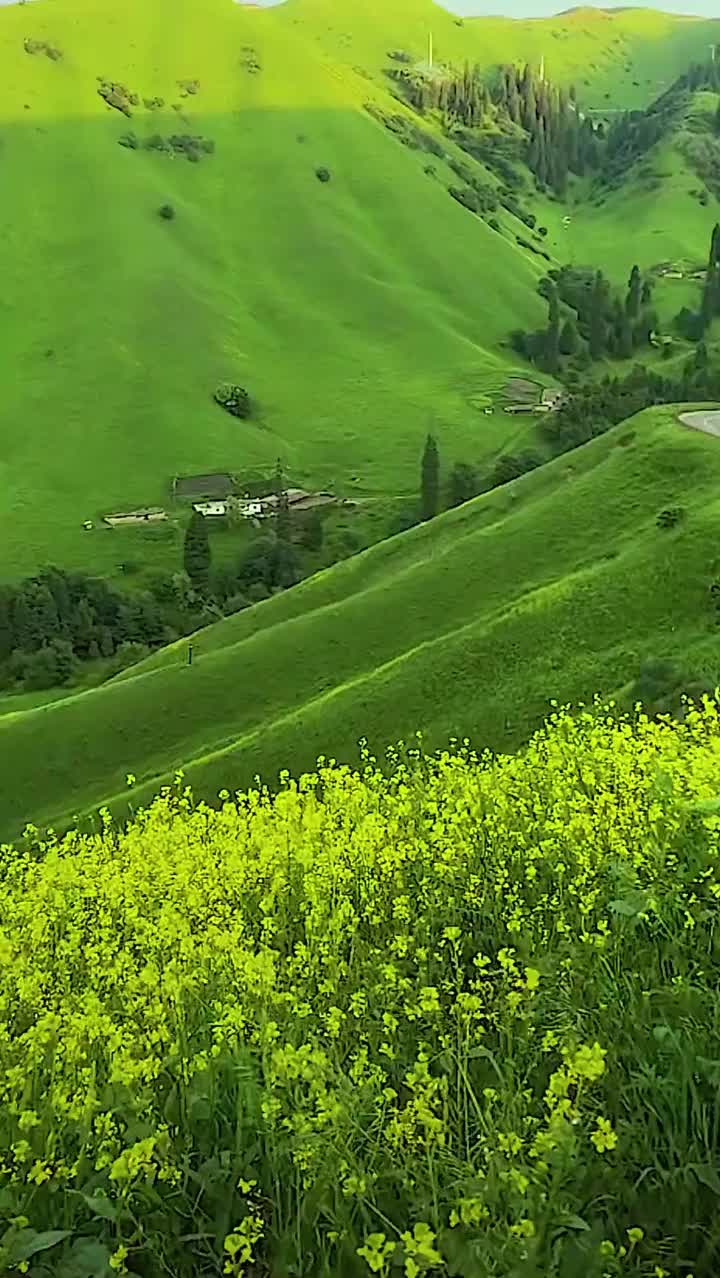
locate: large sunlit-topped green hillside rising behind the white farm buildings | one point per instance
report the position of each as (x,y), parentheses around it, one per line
(354,311)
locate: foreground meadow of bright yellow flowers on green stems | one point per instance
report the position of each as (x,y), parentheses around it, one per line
(458,1018)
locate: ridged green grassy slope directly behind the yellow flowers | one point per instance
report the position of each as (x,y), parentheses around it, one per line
(557,586)
